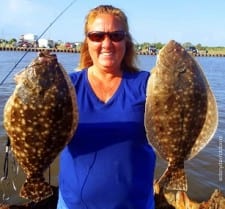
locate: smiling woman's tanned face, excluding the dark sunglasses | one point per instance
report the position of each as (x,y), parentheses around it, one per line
(106,54)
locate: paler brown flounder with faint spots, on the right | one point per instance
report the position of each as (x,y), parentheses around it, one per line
(181,112)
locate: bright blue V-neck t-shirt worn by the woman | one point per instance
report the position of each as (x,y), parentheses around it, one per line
(109,164)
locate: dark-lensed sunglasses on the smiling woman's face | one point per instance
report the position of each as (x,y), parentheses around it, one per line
(99,36)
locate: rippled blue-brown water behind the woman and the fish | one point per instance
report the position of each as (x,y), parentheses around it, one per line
(205,172)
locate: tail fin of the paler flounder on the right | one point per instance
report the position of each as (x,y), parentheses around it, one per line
(174,178)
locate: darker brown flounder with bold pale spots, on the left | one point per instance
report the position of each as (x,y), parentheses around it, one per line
(40,117)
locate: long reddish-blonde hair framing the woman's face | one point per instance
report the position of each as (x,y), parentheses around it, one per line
(130,57)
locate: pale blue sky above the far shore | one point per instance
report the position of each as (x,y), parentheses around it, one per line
(195,21)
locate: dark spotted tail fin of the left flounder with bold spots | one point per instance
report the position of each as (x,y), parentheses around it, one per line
(36,189)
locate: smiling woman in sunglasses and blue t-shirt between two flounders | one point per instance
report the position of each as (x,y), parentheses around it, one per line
(108,164)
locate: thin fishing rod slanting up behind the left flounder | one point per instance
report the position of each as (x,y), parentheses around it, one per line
(45,30)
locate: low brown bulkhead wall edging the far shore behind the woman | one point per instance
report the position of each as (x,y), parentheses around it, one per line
(71,50)
